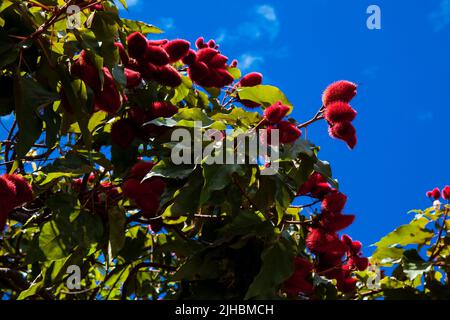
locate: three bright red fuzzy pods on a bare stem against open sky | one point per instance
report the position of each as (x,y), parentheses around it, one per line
(338,112)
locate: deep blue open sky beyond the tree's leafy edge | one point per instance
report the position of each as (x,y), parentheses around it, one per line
(404,76)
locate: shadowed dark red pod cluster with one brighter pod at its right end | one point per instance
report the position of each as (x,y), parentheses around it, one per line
(125,130)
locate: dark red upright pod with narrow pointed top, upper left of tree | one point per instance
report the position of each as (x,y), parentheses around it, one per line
(108,99)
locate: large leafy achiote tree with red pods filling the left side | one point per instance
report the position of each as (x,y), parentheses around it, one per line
(90,182)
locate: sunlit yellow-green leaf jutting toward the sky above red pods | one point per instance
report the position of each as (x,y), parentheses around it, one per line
(264,95)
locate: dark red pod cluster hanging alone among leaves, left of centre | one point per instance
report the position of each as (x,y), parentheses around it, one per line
(145,193)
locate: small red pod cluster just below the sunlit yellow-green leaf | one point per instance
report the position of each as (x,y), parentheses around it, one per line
(273,116)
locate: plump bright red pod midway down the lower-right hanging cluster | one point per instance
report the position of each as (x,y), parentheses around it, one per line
(321,241)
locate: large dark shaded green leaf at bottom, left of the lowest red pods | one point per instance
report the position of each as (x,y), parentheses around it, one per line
(277,267)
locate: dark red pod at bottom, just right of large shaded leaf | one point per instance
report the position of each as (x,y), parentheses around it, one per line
(300,281)
